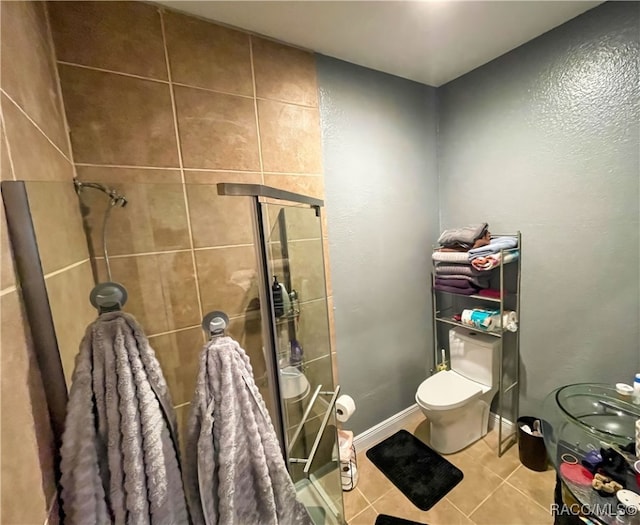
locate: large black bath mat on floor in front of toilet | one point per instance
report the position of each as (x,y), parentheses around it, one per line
(420,473)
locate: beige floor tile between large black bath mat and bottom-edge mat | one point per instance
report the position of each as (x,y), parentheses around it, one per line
(394,503)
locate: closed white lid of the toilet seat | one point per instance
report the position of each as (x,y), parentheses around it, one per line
(447,390)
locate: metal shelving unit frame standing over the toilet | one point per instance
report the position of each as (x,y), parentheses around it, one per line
(508,352)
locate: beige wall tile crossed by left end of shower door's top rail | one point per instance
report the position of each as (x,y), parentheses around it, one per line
(218,220)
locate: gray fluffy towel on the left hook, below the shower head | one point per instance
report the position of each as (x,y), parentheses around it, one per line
(119,449)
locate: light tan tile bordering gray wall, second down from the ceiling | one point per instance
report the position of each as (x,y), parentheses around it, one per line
(290,138)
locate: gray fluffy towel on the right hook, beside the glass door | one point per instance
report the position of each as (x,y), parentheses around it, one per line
(235,472)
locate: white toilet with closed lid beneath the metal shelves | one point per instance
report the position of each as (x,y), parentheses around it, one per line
(456,402)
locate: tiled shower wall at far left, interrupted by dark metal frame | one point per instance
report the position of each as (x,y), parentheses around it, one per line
(35,147)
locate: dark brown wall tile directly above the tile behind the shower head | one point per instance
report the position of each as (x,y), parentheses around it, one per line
(116,119)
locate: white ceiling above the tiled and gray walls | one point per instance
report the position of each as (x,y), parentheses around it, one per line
(431,42)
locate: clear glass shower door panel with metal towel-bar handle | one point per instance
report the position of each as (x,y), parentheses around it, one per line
(307,393)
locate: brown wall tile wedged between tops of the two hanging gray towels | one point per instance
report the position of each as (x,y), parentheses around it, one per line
(178,353)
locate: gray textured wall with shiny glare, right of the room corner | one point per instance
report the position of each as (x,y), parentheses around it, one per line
(545,139)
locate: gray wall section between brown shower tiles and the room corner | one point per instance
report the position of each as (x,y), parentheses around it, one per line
(379,140)
